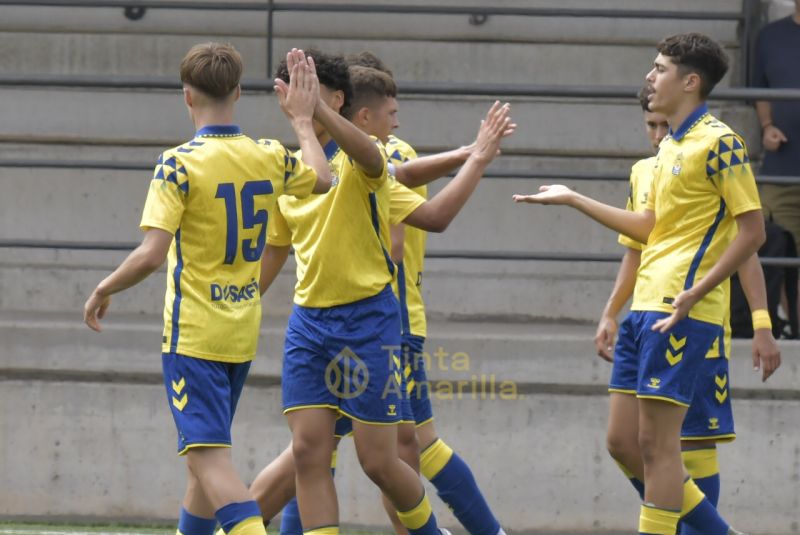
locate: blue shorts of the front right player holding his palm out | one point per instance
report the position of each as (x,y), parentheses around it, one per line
(660,366)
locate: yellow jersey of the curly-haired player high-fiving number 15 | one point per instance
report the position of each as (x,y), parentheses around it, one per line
(341,238)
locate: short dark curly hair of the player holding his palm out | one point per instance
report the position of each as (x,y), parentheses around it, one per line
(697,53)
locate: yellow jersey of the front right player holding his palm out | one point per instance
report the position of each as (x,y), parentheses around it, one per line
(702,180)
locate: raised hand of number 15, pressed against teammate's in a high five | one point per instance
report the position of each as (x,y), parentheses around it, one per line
(299,97)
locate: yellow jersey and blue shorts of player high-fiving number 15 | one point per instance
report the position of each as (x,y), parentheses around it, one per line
(343,337)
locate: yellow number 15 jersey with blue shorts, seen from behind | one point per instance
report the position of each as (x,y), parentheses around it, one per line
(215,194)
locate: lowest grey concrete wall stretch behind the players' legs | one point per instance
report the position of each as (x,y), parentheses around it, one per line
(86,430)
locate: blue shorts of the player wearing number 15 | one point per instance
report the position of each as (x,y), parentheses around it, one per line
(202,395)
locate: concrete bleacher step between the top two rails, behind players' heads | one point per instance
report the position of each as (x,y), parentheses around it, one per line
(473,61)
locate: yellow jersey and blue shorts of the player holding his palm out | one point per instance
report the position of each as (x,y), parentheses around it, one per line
(701,181)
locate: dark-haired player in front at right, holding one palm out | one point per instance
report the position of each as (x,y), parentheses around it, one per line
(703,191)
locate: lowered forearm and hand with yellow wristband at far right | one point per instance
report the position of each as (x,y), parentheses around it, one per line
(766,355)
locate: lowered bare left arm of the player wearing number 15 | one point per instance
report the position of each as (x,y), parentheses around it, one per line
(142,261)
